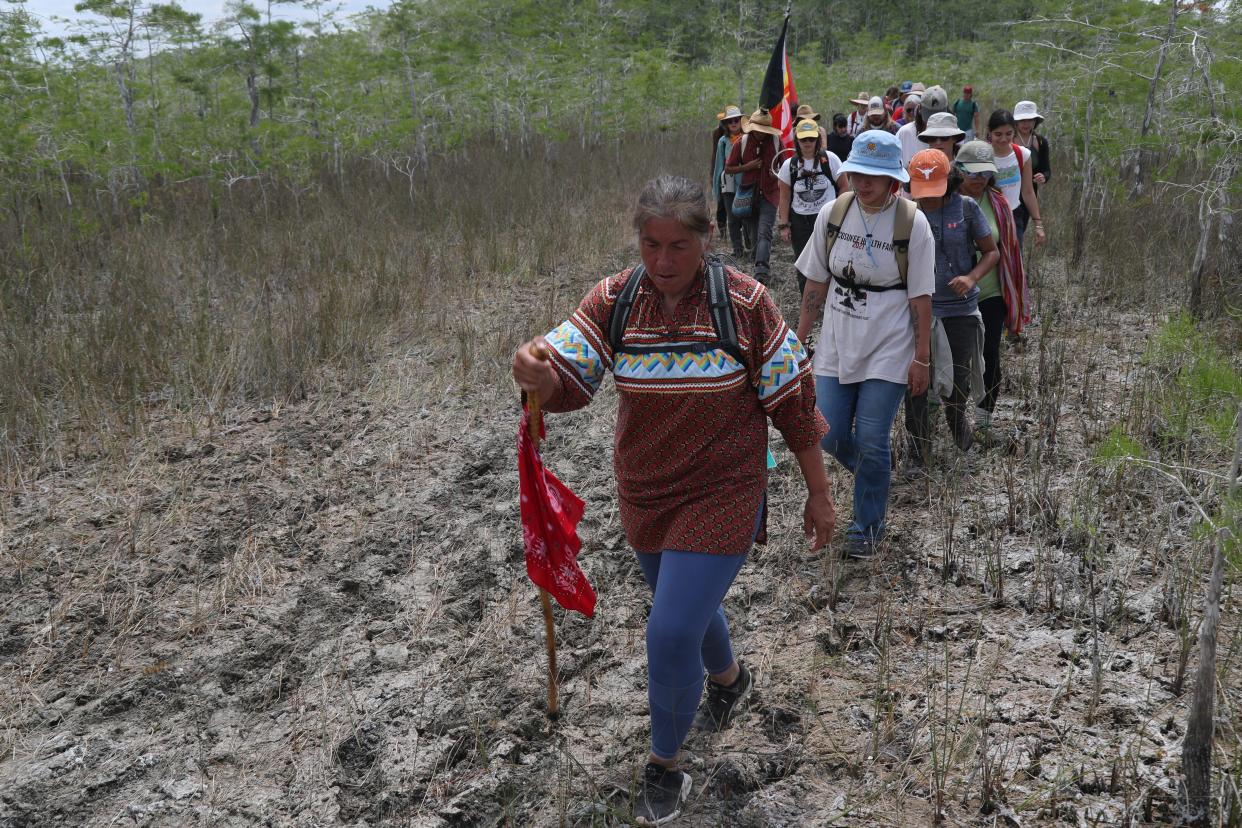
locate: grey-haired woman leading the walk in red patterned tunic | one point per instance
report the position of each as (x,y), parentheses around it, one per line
(696,390)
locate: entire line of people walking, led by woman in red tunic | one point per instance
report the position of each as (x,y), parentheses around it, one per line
(909,244)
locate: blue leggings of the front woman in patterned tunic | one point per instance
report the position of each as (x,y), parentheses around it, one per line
(686,635)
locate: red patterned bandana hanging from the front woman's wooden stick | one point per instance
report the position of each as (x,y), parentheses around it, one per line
(550,528)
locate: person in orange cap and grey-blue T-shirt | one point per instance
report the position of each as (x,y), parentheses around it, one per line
(961,233)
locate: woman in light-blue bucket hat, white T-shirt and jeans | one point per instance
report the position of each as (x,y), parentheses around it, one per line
(871,274)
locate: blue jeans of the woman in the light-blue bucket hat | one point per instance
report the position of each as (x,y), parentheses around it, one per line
(860,425)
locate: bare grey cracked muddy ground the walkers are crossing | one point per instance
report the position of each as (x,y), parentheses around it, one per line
(317,615)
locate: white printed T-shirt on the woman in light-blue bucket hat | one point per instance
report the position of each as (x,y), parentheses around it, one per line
(869,335)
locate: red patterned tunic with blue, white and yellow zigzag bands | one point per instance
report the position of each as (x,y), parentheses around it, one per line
(692,429)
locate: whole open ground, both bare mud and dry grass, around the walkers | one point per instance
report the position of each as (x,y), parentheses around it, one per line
(284,584)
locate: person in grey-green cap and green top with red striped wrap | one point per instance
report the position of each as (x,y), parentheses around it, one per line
(1003,299)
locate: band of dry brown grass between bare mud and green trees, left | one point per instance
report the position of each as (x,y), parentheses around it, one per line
(274,295)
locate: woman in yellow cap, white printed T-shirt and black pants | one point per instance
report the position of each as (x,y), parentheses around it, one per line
(805,187)
